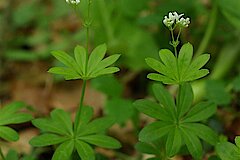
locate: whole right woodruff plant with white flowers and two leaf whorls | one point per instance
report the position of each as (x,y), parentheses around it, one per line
(178,122)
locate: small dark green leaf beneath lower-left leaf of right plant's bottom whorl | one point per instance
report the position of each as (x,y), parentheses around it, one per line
(146,148)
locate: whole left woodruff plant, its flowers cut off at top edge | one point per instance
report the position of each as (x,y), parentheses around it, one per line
(79,135)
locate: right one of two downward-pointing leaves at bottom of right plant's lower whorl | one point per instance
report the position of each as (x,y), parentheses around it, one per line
(193,143)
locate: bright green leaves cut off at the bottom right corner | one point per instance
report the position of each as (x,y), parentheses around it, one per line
(227,150)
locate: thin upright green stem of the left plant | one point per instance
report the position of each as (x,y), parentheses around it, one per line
(87,25)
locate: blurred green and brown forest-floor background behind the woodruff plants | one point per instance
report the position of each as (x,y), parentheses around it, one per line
(30,30)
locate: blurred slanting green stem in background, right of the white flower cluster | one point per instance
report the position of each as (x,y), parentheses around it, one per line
(209,31)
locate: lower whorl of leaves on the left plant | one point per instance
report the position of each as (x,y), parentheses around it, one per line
(58,130)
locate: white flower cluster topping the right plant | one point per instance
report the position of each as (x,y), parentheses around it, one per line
(177,19)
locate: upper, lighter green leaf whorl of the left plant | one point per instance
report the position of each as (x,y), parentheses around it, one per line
(83,68)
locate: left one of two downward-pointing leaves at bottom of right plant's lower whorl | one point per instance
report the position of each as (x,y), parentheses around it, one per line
(174,142)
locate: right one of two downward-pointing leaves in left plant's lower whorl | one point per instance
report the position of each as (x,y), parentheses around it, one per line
(84,150)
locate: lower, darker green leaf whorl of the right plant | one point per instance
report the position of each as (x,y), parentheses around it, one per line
(178,122)
